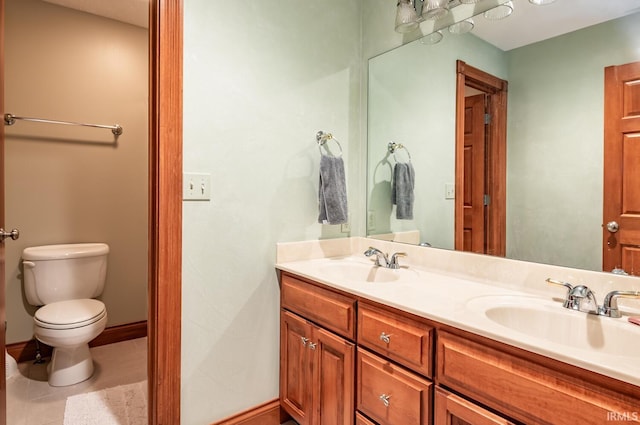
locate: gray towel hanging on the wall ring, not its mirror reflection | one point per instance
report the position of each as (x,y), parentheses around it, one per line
(332,194)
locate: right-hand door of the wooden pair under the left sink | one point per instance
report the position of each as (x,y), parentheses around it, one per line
(334,383)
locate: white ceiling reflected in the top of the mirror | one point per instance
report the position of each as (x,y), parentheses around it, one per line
(529,23)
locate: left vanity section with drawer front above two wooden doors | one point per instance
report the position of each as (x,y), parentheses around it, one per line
(317,376)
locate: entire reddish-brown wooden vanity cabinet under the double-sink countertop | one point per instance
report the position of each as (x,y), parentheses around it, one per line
(387,379)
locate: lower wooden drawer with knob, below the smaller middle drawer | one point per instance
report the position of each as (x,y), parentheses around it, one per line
(391,395)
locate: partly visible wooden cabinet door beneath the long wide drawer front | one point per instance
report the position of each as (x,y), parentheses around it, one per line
(453,410)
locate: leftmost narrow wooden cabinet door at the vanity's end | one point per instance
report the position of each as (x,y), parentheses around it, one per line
(295,367)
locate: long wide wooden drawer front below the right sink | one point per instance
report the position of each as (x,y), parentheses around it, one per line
(524,389)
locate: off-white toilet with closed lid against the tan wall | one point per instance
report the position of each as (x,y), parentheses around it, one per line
(64,279)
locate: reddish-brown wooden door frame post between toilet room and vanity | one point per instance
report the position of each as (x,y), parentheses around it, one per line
(165,210)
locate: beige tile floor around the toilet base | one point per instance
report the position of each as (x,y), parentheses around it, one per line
(31,401)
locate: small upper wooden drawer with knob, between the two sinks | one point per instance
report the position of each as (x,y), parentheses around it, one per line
(400,338)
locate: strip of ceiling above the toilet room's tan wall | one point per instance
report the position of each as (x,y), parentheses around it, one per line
(135,12)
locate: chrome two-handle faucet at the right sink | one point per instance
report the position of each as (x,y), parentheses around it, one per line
(576,294)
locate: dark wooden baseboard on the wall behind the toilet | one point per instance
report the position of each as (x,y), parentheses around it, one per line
(26,351)
